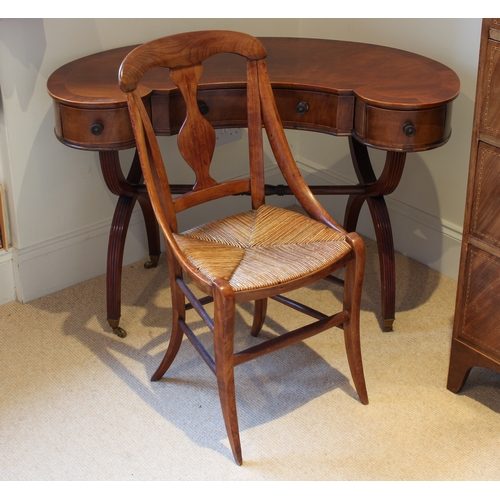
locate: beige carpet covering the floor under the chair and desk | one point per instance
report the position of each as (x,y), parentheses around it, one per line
(77,403)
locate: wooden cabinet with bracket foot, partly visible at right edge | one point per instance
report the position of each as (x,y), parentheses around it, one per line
(476,330)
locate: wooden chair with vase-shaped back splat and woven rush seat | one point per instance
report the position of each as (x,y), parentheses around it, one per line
(252,256)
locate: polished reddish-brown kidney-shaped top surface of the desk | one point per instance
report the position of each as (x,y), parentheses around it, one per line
(380,76)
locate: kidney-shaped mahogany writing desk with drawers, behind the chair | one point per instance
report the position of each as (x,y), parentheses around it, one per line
(379,97)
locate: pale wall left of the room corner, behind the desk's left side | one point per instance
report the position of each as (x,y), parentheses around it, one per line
(59,208)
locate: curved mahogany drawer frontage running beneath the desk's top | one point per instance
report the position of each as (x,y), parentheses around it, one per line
(409,130)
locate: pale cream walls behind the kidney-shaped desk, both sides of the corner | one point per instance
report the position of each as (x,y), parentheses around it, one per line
(60,210)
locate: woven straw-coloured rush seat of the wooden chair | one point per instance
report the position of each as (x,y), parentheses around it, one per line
(262,247)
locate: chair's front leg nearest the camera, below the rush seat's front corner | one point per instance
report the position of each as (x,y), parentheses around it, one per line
(224,320)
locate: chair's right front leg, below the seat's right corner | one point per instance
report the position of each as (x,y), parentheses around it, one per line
(353,284)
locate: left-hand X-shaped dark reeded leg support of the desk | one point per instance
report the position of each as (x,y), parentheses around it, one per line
(129,191)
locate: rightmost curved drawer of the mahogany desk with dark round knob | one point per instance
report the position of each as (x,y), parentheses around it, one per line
(402,130)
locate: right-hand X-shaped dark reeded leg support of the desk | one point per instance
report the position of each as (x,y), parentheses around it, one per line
(375,189)
